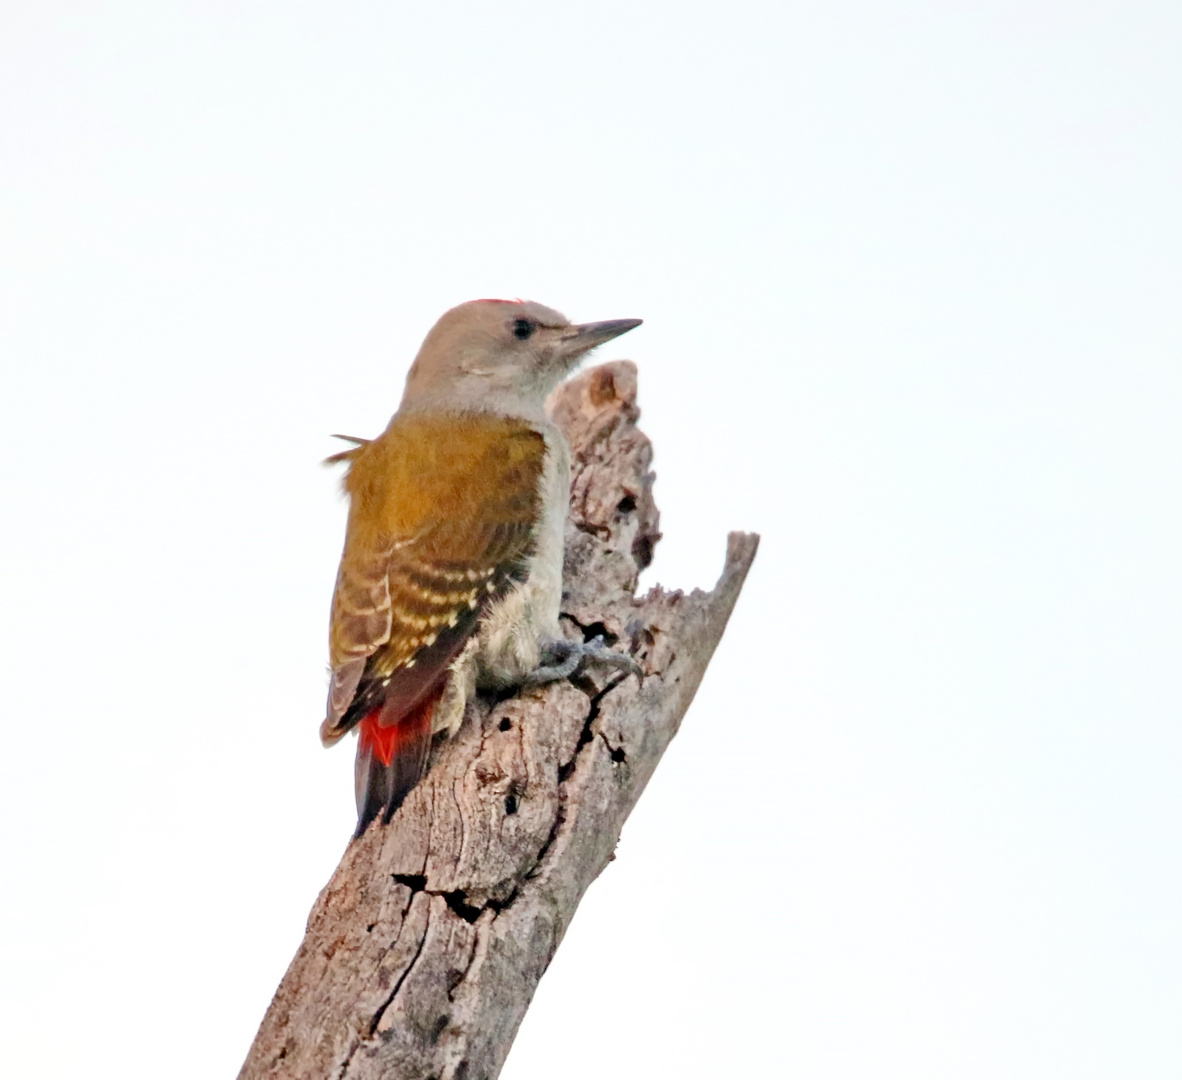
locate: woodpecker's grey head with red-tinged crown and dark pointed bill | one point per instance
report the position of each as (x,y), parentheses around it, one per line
(501,355)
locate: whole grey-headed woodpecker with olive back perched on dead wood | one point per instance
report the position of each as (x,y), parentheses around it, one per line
(452,570)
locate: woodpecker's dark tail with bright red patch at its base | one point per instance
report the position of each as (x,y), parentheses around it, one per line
(392,759)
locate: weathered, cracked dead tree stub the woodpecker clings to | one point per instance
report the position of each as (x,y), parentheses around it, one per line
(424,952)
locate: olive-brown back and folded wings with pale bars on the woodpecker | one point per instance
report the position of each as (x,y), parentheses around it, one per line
(444,511)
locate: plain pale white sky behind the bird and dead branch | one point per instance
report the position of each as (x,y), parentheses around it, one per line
(911,279)
